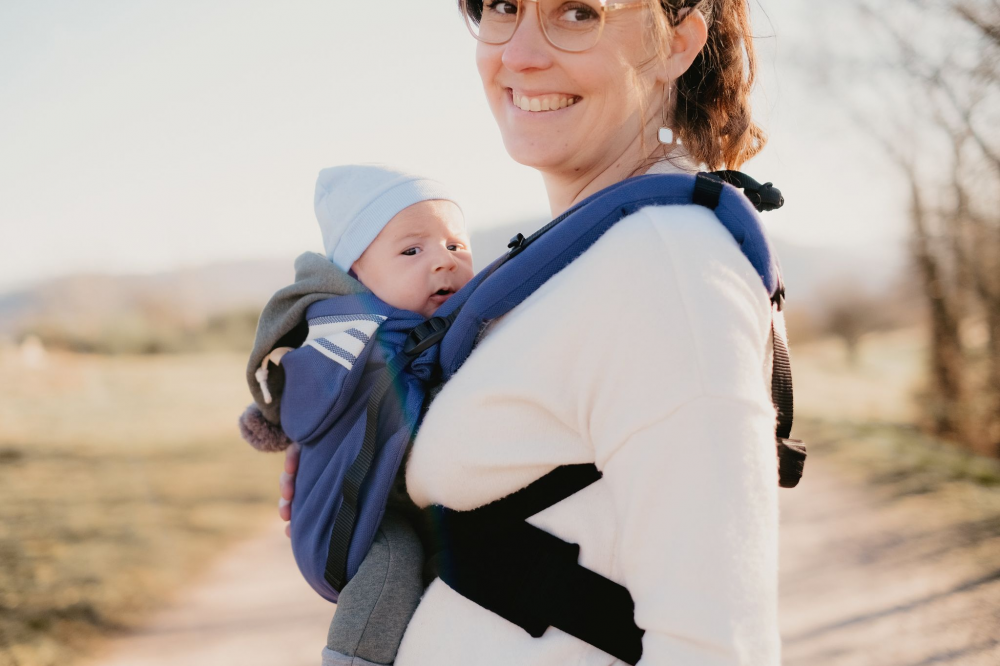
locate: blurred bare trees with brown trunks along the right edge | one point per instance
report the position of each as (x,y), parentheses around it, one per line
(924,82)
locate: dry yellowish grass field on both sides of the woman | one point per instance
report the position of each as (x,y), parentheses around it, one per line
(121,477)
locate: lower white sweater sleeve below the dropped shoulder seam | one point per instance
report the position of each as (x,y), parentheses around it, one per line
(697,536)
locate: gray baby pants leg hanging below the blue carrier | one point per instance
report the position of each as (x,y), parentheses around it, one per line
(374,608)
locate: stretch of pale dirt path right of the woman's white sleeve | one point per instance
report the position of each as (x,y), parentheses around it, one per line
(887,575)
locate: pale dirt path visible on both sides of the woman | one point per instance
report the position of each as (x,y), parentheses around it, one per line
(869,576)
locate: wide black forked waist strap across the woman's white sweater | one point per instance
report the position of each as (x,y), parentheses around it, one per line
(529,577)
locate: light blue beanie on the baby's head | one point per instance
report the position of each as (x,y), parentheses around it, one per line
(354,203)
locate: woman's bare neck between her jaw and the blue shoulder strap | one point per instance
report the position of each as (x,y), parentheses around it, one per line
(566,188)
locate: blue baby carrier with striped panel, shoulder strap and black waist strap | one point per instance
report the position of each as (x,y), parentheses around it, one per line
(492,555)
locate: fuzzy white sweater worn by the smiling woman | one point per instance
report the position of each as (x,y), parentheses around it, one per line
(650,356)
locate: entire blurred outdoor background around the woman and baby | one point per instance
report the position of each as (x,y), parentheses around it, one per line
(157,164)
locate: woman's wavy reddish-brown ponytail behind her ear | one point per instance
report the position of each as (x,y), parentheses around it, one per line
(712,114)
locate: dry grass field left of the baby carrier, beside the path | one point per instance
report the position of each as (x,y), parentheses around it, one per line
(120,478)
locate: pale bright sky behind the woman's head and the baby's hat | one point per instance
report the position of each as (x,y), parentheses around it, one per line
(142,135)
